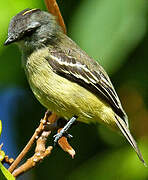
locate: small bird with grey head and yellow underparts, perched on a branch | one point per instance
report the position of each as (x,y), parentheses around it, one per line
(63,77)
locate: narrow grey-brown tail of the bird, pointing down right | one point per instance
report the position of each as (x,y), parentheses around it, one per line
(126,132)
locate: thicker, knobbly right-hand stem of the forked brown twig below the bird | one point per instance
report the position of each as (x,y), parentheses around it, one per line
(41,151)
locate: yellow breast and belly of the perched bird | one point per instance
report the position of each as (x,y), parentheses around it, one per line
(62,96)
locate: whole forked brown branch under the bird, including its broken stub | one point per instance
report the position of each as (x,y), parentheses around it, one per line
(47,124)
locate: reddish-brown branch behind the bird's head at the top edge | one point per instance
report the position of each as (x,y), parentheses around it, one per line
(53,8)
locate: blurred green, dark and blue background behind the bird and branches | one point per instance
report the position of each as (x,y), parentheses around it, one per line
(113,32)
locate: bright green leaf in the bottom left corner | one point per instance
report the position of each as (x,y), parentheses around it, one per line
(5,174)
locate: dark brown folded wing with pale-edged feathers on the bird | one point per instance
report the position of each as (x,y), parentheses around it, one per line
(91,76)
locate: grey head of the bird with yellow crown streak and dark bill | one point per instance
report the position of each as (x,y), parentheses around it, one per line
(32,28)
